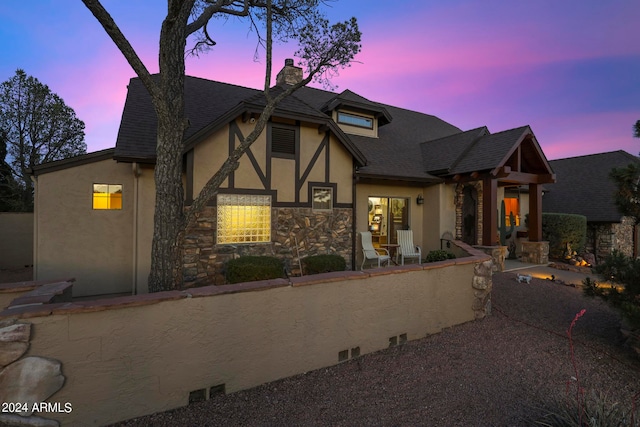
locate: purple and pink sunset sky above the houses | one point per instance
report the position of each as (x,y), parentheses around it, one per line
(569,69)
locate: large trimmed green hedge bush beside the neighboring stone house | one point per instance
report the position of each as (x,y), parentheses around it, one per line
(562,229)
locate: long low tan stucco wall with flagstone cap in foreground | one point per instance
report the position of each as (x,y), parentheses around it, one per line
(137,355)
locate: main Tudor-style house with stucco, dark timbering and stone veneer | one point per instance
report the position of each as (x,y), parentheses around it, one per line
(327,166)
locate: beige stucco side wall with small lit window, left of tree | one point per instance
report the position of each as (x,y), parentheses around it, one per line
(74,240)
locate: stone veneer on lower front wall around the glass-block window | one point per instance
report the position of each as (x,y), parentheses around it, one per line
(316,233)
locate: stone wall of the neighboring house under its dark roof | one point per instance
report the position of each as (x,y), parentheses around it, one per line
(602,239)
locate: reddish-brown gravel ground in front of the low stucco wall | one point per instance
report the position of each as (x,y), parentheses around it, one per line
(505,370)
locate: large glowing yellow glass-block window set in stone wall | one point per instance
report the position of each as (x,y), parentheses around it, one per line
(244,218)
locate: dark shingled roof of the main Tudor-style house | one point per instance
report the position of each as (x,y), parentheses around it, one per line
(411,146)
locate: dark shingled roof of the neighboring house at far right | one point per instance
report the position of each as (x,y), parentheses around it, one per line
(583,186)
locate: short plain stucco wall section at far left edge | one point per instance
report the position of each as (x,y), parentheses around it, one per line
(16,239)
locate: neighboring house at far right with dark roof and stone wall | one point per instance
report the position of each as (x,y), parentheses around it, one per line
(584,188)
